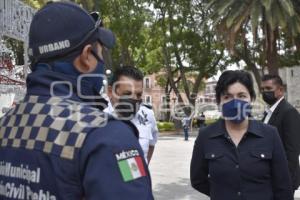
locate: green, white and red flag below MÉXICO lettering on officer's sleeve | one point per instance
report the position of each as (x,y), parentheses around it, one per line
(131,168)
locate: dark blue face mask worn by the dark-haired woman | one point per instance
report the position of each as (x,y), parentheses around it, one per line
(236,110)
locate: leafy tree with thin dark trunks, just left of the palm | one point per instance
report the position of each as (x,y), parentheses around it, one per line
(187,50)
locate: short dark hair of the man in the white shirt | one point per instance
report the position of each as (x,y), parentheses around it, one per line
(128,71)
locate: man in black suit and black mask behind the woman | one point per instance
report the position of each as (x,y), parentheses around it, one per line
(286,119)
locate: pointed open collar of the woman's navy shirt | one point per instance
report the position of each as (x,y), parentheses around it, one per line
(220,129)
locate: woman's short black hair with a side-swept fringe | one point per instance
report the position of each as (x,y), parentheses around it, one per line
(230,77)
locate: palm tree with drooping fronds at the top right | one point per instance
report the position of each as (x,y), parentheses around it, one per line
(267,19)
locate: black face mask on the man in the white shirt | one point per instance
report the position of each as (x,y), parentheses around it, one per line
(127,108)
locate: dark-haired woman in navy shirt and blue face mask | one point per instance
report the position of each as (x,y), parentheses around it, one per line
(237,157)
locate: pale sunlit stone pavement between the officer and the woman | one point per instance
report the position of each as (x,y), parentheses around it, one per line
(170,170)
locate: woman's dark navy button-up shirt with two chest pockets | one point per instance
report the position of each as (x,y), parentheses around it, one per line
(254,170)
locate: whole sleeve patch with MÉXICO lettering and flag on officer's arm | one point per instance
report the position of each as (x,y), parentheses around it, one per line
(131,165)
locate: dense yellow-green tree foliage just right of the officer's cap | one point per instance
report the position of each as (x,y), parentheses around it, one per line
(128,19)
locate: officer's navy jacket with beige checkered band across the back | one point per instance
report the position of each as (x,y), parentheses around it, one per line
(56,148)
